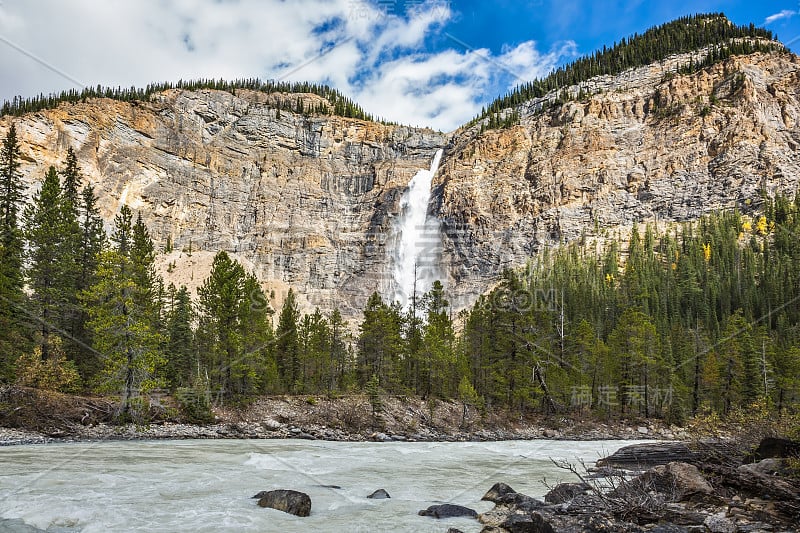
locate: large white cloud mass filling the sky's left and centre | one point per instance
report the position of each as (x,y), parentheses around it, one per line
(377,59)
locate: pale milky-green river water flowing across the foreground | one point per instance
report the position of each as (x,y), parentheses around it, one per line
(206,485)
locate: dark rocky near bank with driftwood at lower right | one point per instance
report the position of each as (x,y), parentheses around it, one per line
(710,494)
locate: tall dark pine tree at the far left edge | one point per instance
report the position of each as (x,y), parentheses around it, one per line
(12,297)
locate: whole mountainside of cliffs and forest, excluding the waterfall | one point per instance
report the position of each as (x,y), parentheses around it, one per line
(627,238)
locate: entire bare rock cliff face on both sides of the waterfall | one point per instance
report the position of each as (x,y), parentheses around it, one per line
(307,202)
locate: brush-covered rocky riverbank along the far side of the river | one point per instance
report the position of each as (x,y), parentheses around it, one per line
(28,416)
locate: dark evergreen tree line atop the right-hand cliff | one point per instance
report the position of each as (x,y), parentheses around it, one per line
(682,35)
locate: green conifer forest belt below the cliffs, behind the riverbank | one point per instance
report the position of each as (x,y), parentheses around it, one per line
(663,321)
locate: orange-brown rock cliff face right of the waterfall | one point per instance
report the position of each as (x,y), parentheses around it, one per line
(650,144)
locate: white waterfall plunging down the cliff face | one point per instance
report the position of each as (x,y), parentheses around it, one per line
(415,250)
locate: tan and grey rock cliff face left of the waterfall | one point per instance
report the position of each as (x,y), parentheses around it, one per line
(303,202)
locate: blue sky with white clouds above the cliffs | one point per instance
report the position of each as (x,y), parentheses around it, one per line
(417,62)
